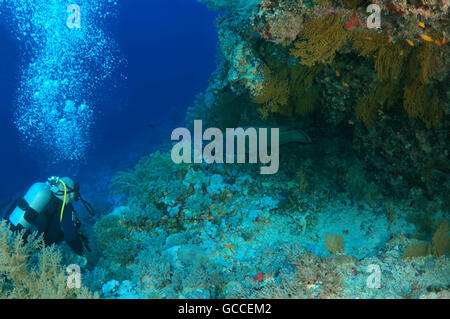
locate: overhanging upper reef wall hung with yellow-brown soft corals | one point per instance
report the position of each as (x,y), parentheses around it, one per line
(285,60)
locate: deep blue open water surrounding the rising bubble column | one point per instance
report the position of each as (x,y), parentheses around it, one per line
(170,46)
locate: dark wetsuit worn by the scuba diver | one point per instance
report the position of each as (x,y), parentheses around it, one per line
(55,231)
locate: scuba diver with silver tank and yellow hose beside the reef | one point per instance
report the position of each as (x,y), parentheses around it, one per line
(47,208)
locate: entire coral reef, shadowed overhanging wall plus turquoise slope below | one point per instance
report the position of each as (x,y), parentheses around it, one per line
(363,168)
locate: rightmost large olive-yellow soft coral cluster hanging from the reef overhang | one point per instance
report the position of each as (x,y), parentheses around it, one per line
(395,61)
